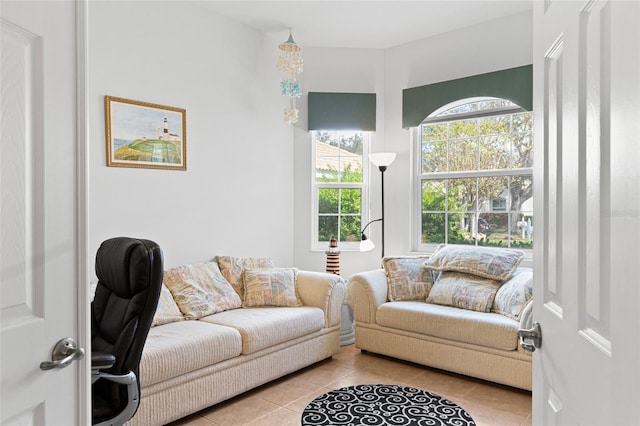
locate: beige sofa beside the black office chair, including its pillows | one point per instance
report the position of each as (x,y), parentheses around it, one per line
(194,359)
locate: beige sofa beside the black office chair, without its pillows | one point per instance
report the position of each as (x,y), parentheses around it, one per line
(188,365)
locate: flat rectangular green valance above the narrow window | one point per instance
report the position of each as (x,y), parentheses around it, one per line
(342,111)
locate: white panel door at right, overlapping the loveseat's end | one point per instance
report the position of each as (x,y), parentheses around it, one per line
(587,212)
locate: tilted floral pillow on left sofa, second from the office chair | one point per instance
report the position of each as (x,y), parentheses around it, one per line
(200,289)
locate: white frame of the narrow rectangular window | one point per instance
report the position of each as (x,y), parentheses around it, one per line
(364,194)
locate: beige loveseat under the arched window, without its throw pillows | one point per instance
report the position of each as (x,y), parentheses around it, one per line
(479,344)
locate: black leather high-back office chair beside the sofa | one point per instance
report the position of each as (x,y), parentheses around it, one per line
(129,272)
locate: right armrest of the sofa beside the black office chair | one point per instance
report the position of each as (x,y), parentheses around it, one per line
(325,291)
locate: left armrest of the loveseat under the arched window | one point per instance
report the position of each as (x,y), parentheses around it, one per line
(366,291)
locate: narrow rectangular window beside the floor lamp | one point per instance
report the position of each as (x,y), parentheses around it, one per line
(339,186)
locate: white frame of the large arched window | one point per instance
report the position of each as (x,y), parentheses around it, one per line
(417,175)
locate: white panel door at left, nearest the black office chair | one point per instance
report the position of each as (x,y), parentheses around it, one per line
(41,215)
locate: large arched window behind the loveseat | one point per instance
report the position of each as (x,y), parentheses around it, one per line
(475,176)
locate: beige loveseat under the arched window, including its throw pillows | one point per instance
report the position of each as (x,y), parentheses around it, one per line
(483,344)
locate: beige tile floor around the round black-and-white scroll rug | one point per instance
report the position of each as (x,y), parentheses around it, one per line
(281,402)
